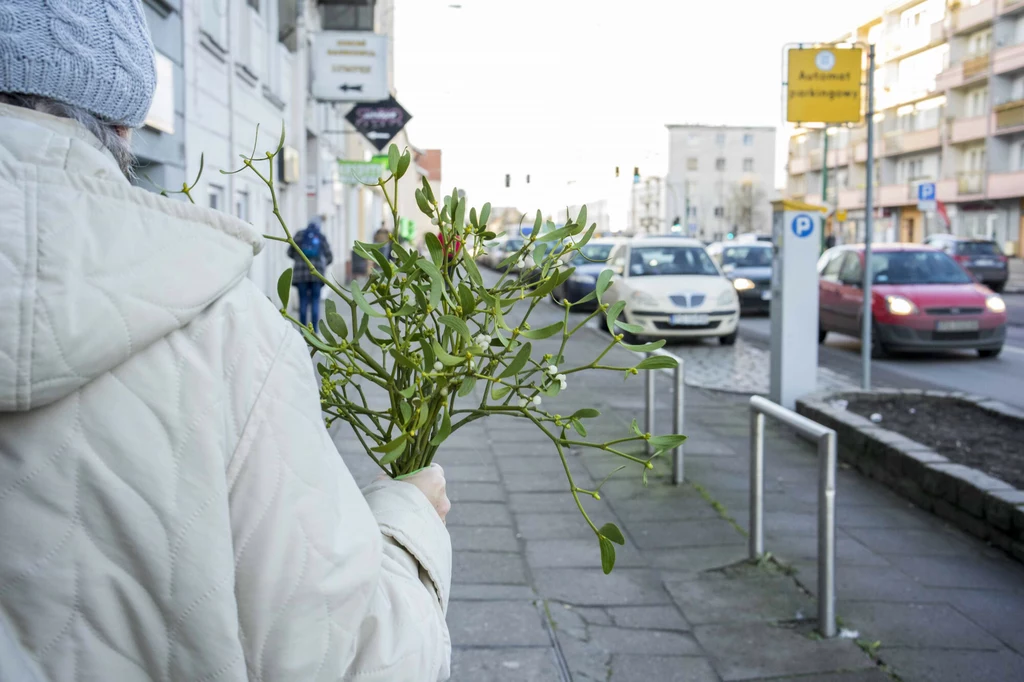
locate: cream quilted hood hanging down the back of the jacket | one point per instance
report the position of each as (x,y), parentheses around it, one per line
(94,271)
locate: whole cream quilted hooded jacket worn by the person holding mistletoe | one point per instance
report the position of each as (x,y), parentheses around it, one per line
(172,506)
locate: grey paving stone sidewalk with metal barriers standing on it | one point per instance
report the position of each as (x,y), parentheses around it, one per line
(531,603)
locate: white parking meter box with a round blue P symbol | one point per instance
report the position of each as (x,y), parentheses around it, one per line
(797,240)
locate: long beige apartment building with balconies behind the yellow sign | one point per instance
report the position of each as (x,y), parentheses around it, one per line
(950,102)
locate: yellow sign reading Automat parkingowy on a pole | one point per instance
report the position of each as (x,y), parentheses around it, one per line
(824,86)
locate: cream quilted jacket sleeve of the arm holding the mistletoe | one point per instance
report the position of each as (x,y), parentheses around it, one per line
(330,584)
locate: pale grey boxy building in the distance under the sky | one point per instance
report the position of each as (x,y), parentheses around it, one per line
(720,181)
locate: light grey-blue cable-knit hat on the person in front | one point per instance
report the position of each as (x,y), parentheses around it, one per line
(92,54)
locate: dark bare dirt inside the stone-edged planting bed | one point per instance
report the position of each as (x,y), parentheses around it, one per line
(959,431)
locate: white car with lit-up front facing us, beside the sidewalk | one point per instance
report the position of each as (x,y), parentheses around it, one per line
(673,289)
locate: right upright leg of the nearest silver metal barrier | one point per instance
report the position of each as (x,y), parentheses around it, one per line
(827,535)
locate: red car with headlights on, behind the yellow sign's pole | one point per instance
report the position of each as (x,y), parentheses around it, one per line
(923,301)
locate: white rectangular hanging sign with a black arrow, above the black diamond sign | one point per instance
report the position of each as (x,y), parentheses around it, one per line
(350,66)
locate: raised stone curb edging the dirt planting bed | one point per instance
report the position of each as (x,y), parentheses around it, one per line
(985,506)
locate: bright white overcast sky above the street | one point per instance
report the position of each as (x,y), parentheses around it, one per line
(566,91)
